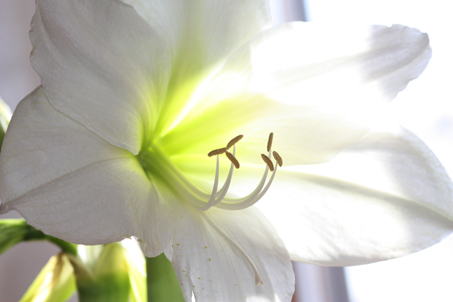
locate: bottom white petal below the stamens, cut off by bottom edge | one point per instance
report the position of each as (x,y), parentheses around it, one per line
(214,253)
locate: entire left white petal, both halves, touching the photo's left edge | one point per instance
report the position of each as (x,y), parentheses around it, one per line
(68,182)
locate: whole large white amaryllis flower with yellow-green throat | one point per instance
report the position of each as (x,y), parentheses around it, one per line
(115,141)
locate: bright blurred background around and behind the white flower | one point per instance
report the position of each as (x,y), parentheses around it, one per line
(425,108)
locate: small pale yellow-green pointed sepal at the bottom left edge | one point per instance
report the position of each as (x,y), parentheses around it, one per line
(55,282)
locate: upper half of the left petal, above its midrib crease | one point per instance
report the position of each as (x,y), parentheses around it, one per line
(42,145)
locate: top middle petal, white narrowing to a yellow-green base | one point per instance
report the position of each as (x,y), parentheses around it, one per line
(199,35)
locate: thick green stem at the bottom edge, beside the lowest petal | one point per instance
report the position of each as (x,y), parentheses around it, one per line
(163,285)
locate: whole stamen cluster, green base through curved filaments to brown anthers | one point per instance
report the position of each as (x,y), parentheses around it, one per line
(156,164)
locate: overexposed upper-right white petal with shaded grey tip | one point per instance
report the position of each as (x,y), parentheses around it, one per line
(318,88)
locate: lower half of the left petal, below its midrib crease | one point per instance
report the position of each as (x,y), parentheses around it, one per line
(97,204)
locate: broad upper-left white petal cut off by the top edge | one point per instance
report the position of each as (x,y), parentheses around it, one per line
(101,65)
